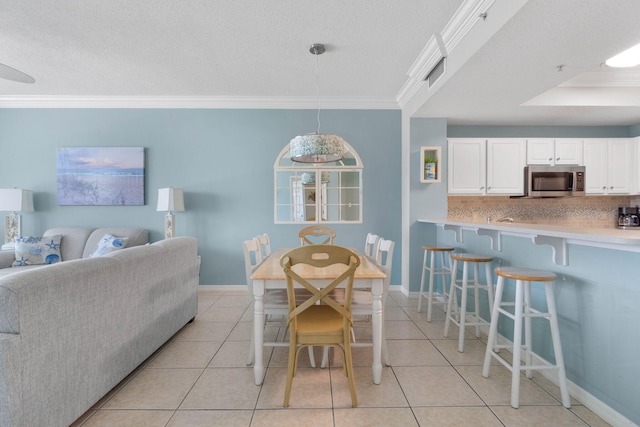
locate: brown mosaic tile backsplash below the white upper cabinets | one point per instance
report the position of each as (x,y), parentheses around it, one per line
(587,211)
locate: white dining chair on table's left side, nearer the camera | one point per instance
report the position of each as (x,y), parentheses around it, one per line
(275,300)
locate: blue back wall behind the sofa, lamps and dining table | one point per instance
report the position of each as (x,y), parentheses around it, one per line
(223,159)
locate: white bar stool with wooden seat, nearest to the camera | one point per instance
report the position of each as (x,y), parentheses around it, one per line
(523,309)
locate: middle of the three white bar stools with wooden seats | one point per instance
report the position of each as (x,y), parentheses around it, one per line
(460,318)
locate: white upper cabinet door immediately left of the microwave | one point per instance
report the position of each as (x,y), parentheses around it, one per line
(506,159)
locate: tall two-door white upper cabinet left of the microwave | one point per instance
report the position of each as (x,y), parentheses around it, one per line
(486,166)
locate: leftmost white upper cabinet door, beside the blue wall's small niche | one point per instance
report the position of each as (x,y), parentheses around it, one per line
(467,165)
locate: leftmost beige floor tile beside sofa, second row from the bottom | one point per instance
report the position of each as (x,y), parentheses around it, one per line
(155,389)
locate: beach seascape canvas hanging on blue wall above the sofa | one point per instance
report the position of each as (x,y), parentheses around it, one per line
(100,176)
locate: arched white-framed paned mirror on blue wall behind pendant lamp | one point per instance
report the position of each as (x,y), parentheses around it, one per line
(300,197)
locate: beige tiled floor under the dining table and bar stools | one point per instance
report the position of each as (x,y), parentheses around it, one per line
(199,378)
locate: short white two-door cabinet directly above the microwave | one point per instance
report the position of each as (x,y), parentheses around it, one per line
(550,151)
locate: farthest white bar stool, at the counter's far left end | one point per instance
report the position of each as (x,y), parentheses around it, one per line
(443,270)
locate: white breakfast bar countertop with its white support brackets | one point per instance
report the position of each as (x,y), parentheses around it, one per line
(558,236)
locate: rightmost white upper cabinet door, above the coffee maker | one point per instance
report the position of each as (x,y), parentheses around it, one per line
(620,164)
